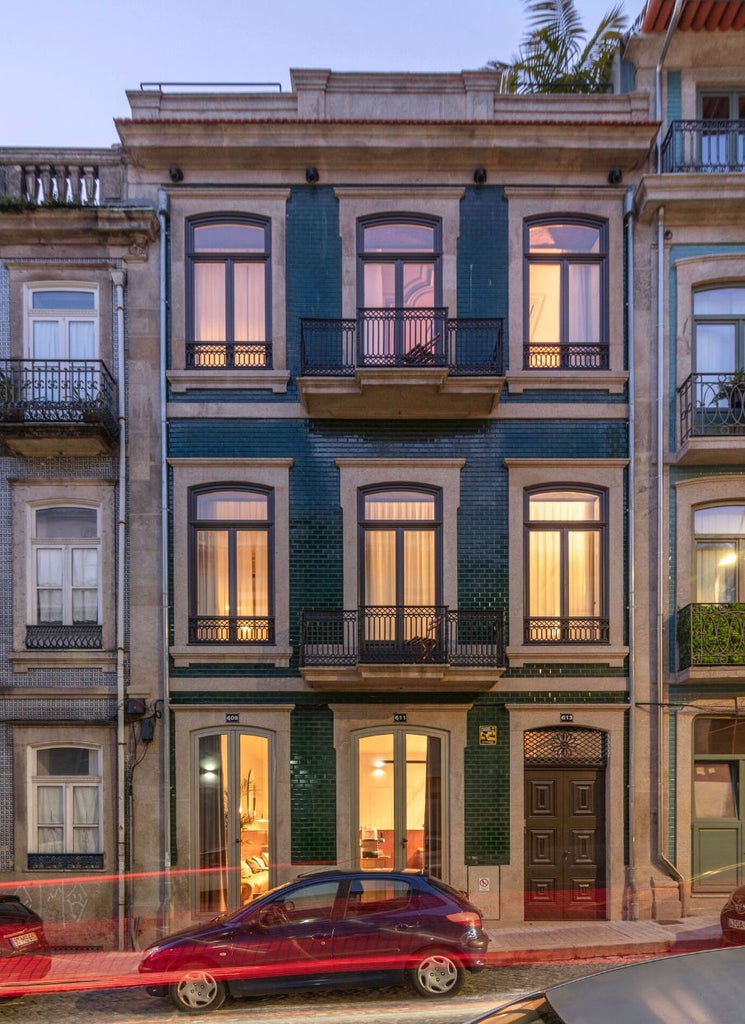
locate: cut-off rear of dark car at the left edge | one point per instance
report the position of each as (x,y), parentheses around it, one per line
(24,950)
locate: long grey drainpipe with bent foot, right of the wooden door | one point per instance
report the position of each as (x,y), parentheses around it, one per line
(662,566)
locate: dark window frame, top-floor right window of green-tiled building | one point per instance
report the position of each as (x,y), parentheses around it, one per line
(564,344)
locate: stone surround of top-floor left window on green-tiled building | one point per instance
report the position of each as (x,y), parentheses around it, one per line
(269,204)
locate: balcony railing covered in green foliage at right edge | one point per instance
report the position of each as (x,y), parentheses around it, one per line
(712,635)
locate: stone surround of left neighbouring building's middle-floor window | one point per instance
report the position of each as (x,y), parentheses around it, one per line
(28,496)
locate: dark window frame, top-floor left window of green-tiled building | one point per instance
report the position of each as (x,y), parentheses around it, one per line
(193,257)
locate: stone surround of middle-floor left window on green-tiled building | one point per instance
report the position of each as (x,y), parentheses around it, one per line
(272,474)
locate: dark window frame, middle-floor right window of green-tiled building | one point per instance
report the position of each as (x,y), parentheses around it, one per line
(564,528)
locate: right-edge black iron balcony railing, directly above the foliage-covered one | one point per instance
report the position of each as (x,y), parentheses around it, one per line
(712,404)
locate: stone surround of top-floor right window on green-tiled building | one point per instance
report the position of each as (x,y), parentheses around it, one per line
(585,204)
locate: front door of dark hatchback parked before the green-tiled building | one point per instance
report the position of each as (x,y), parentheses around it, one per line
(289,936)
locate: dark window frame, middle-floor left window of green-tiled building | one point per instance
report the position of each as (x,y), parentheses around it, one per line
(233,528)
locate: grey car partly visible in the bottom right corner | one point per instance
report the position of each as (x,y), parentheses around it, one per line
(706,988)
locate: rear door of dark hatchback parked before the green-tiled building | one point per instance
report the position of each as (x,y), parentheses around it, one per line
(379,925)
